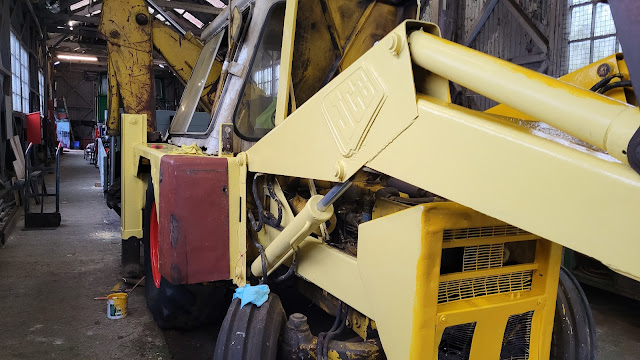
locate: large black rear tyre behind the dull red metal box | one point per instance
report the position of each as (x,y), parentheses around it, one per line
(179,306)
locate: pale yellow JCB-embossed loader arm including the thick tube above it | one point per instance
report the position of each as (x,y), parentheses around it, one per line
(404,126)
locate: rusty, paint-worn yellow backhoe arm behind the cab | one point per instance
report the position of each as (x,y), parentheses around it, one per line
(131,37)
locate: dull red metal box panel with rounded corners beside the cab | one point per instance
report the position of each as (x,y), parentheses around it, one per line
(194,219)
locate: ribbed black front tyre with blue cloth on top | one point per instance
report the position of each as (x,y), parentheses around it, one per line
(251,332)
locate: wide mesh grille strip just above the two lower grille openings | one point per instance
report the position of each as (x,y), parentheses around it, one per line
(453,290)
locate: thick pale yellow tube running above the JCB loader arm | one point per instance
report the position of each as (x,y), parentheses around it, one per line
(596,119)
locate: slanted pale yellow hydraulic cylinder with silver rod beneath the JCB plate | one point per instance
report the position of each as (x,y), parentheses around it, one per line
(300,227)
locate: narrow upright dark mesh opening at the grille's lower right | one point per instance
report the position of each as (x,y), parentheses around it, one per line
(517,335)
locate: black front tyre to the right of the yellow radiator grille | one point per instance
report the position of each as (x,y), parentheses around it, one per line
(574,332)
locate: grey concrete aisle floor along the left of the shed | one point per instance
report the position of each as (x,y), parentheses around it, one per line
(48,279)
